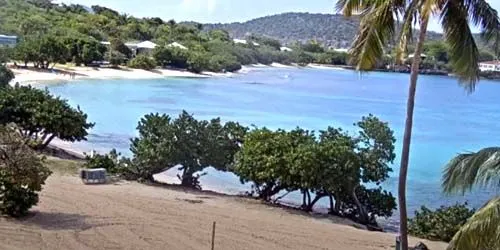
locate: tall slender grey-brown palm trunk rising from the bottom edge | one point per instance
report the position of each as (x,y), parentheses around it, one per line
(405,155)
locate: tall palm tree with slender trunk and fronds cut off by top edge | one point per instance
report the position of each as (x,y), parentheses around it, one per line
(379,23)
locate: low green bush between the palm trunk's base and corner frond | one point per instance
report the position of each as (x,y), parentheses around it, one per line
(441,224)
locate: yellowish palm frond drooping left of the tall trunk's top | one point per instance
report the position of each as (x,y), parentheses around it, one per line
(376,29)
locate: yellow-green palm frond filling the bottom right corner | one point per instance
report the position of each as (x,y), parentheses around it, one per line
(481,231)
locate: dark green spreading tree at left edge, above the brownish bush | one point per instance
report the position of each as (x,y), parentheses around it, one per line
(41,117)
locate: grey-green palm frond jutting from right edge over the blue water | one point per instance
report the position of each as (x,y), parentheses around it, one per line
(470,169)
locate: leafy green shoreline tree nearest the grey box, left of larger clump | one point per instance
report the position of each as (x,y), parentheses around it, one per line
(186,143)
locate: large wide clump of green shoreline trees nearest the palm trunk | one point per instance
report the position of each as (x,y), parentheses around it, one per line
(335,164)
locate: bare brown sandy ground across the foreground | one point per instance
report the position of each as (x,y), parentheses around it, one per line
(71,215)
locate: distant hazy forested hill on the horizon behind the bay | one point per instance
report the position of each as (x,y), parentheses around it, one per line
(331,30)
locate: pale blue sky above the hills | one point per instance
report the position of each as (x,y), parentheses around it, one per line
(210,11)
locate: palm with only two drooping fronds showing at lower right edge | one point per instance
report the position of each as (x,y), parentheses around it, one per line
(482,230)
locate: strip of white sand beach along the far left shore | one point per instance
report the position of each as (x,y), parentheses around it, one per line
(23,76)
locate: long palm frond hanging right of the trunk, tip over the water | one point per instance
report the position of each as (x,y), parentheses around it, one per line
(464,53)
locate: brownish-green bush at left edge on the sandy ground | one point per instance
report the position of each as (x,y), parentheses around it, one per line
(22,174)
